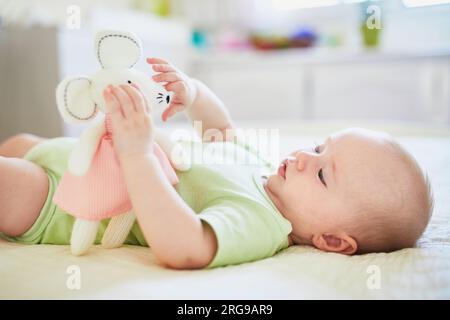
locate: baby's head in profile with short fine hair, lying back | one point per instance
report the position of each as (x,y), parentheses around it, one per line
(357,192)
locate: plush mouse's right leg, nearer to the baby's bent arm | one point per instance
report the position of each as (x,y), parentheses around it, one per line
(118,229)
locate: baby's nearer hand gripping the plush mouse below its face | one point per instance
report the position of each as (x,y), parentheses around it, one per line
(132,125)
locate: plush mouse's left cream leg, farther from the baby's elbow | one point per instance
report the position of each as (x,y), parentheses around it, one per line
(83,236)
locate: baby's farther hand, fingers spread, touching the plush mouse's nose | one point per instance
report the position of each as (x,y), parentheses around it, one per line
(181,85)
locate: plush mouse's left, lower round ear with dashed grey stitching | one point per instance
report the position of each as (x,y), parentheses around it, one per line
(74,99)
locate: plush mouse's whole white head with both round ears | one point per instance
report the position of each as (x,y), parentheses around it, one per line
(79,98)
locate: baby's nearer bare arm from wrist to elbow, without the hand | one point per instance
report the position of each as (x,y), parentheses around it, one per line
(174,232)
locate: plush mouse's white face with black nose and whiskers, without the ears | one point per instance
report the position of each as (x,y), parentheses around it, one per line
(157,97)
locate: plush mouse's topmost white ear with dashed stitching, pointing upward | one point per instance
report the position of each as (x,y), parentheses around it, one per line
(117,49)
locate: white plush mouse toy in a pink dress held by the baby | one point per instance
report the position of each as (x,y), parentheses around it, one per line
(93,187)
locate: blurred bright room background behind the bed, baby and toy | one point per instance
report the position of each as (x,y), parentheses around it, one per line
(278,63)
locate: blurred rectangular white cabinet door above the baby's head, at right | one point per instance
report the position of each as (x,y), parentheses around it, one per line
(395,90)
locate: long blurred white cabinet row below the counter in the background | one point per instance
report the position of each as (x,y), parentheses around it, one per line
(313,85)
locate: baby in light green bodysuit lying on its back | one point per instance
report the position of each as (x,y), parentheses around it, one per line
(358,192)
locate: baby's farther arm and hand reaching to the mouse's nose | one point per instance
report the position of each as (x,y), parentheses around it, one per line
(192,96)
